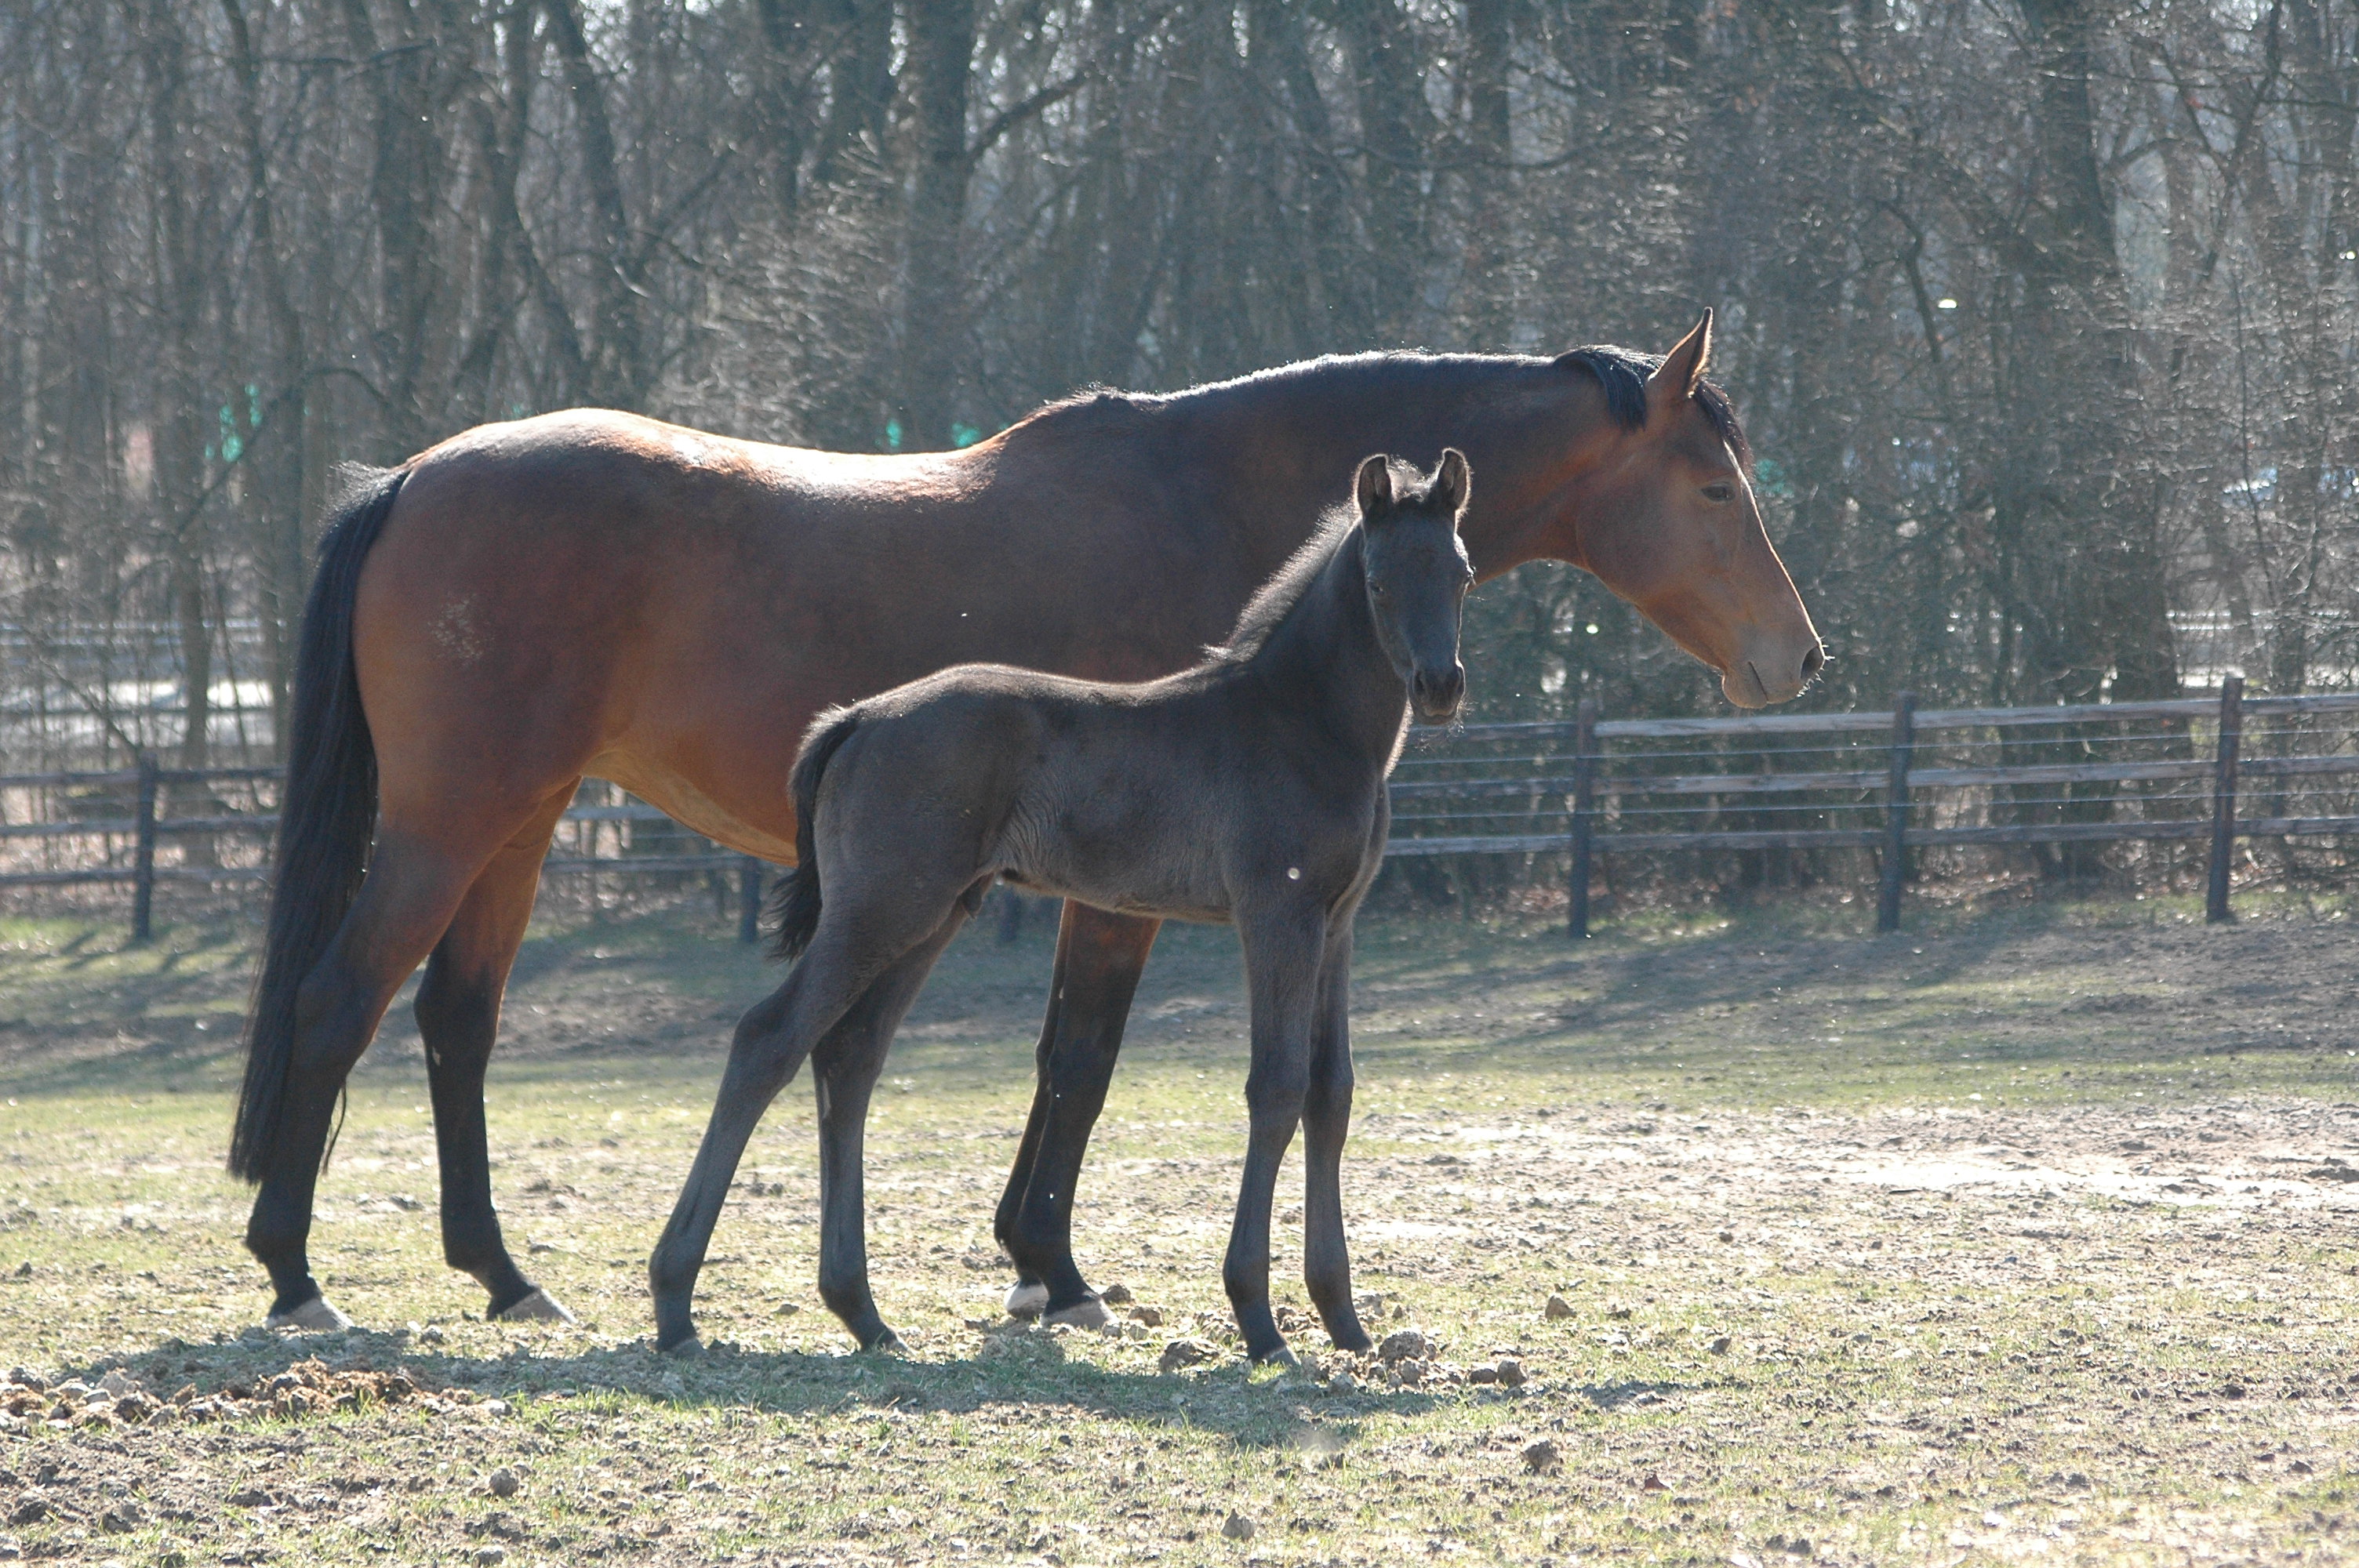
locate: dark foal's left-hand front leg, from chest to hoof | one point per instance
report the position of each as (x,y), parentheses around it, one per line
(1284,956)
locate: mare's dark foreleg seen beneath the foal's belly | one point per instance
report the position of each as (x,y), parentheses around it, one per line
(1100,958)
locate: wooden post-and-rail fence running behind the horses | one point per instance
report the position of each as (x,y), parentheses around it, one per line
(1586,789)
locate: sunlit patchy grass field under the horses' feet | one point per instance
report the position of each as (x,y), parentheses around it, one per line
(2016,1237)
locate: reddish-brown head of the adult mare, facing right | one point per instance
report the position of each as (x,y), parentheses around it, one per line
(1662,508)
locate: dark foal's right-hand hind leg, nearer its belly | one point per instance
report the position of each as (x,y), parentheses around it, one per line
(843,1076)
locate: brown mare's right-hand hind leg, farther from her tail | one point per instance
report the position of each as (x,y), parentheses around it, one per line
(459,1017)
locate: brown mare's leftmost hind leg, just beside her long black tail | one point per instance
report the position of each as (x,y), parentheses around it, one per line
(405,904)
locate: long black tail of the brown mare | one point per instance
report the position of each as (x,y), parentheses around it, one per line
(327,812)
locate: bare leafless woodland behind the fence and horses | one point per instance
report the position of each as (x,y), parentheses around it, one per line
(2042,312)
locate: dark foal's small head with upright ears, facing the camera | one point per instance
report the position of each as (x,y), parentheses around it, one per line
(1417,574)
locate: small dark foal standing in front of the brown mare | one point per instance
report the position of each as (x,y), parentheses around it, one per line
(1247,791)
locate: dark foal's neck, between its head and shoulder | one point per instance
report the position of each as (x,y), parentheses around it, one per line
(1325,659)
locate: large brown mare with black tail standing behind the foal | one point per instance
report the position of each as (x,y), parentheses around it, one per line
(603,595)
